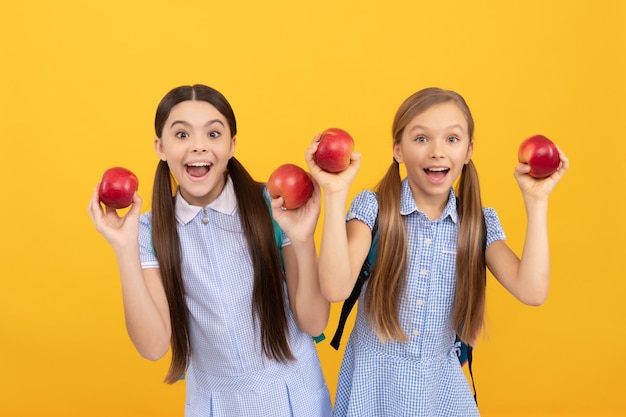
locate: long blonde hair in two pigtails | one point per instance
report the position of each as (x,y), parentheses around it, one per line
(388,277)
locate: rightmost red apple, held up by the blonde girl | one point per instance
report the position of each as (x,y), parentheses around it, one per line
(541,154)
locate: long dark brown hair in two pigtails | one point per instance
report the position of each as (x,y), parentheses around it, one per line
(268,304)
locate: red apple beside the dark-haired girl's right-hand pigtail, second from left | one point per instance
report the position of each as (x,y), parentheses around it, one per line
(292,183)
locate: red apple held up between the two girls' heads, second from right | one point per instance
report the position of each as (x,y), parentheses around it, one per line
(334,150)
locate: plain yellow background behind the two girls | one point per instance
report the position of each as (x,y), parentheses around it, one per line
(79,84)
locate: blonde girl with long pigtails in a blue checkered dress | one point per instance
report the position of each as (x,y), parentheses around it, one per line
(428,281)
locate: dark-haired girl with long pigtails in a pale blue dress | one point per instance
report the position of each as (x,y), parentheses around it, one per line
(201,271)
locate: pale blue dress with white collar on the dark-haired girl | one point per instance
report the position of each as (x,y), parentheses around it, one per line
(228,375)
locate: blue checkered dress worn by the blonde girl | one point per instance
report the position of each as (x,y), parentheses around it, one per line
(421,377)
